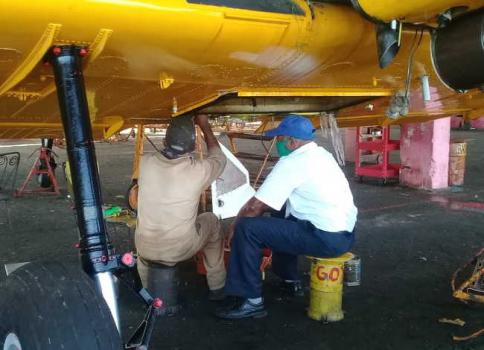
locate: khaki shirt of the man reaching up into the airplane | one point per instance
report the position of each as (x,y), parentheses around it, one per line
(168,198)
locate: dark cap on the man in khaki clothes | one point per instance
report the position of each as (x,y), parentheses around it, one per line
(180,134)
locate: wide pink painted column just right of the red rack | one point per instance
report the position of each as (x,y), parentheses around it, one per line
(424,154)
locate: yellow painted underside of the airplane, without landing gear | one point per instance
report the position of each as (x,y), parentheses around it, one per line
(151,60)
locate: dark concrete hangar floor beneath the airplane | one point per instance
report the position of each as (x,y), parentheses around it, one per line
(410,243)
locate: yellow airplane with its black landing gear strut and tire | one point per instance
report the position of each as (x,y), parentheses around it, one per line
(84,69)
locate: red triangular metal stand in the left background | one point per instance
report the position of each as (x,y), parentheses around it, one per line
(44,155)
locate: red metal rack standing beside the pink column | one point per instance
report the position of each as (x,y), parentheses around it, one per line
(382,145)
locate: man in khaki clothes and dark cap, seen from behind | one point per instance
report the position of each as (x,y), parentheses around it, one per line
(170,184)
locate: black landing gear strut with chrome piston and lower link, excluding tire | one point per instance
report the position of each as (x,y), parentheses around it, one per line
(97,254)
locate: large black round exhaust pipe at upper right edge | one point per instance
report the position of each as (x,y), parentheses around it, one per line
(458,52)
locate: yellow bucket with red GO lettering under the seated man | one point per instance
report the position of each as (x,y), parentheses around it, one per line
(326,295)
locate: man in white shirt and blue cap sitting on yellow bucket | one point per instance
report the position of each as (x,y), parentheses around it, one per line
(318,220)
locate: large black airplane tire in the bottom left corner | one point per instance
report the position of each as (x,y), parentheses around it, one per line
(53,306)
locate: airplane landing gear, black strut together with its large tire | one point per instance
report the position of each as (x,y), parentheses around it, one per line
(73,311)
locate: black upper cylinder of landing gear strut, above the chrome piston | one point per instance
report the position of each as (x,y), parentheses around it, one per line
(95,247)
